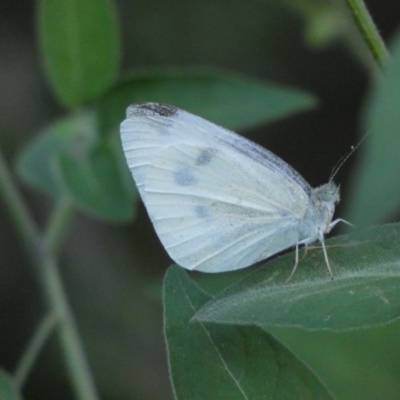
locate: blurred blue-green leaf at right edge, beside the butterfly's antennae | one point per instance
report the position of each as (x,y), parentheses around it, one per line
(376,184)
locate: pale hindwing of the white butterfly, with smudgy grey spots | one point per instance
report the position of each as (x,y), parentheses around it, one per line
(212,211)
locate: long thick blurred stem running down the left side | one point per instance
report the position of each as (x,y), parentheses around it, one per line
(50,279)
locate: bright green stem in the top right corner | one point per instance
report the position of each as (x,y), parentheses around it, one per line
(369,31)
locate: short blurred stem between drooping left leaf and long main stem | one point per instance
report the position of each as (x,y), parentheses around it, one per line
(58,223)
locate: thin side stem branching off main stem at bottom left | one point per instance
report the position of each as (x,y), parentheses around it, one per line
(33,350)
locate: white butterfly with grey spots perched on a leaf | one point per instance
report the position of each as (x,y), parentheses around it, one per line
(218,201)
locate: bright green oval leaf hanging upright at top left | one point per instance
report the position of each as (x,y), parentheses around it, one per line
(80,45)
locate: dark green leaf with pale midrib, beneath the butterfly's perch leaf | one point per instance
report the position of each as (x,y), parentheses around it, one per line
(209,361)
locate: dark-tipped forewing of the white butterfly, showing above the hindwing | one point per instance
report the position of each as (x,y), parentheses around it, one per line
(149,127)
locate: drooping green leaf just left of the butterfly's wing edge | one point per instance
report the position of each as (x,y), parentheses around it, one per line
(99,182)
